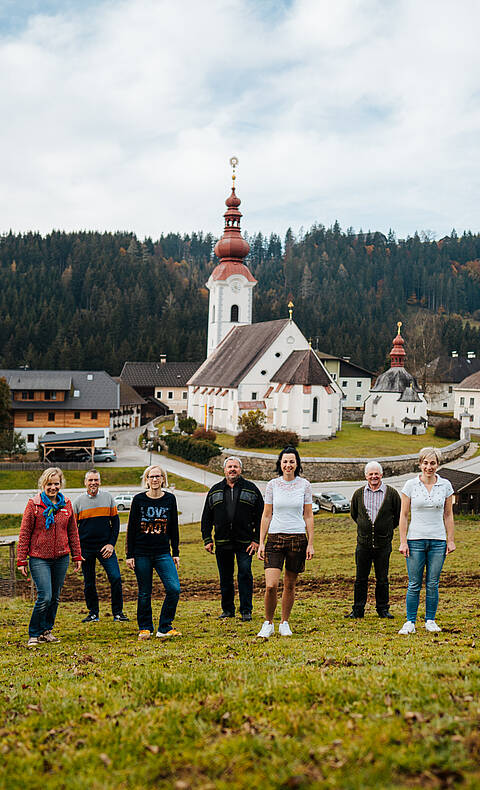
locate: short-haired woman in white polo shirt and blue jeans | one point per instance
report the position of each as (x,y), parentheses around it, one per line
(429,498)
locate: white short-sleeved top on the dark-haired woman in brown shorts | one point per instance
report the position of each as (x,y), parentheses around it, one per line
(288,498)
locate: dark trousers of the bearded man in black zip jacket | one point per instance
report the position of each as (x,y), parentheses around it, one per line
(226,565)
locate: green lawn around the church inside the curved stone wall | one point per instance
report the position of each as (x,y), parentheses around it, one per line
(354,441)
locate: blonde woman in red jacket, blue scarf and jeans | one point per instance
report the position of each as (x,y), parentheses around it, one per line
(47,534)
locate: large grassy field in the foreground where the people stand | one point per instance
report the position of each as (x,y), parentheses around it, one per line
(341,704)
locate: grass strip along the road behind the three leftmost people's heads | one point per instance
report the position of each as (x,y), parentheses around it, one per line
(111,476)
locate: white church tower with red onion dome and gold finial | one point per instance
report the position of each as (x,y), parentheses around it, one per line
(231,283)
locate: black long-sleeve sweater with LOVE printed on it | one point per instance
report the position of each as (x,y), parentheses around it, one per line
(152,526)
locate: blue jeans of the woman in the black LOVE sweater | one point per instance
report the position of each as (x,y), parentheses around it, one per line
(165,567)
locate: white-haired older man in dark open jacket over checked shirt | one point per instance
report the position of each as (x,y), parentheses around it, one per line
(375,508)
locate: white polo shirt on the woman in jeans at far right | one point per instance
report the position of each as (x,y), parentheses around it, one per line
(426,508)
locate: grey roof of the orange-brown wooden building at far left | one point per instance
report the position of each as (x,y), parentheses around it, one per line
(96,389)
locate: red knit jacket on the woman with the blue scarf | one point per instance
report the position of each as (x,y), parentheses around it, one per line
(48,544)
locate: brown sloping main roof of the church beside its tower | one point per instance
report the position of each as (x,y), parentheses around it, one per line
(237,354)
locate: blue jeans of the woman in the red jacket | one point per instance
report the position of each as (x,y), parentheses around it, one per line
(48,577)
